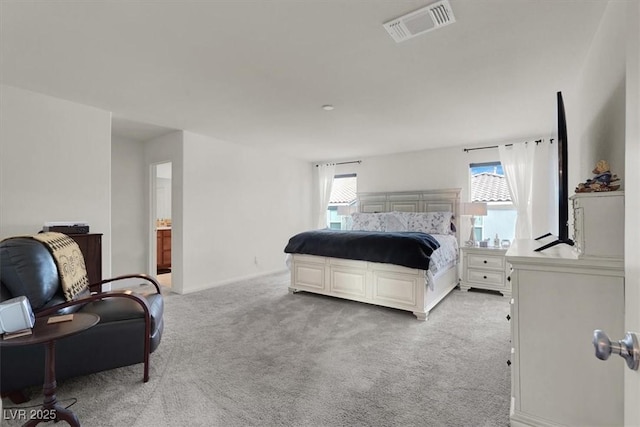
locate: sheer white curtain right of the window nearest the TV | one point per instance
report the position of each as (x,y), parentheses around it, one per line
(518,165)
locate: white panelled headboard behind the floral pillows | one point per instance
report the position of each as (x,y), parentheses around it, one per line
(441,200)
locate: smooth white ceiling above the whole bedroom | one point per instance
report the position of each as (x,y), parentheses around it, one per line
(256,72)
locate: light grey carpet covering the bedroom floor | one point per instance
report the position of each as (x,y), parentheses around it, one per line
(251,354)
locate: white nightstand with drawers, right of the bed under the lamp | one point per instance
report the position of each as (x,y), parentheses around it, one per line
(485,268)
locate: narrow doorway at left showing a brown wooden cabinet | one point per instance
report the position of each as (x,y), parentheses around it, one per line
(161,220)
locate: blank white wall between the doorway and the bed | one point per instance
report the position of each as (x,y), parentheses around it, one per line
(241,206)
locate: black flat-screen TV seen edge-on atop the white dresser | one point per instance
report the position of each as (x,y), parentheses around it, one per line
(563,183)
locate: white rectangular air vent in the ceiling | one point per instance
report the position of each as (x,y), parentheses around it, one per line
(418,22)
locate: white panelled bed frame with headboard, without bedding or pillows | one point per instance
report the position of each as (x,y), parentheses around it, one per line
(386,285)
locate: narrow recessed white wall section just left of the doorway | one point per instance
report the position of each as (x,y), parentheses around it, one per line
(128,214)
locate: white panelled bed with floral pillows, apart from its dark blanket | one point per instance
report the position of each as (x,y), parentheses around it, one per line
(417,290)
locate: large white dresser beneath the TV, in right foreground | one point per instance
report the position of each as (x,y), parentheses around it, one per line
(559,299)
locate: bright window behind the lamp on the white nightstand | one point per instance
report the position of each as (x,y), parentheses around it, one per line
(489,185)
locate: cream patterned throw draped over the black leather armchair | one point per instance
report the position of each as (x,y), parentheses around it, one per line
(70,262)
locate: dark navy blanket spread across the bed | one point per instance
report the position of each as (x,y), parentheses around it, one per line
(407,248)
